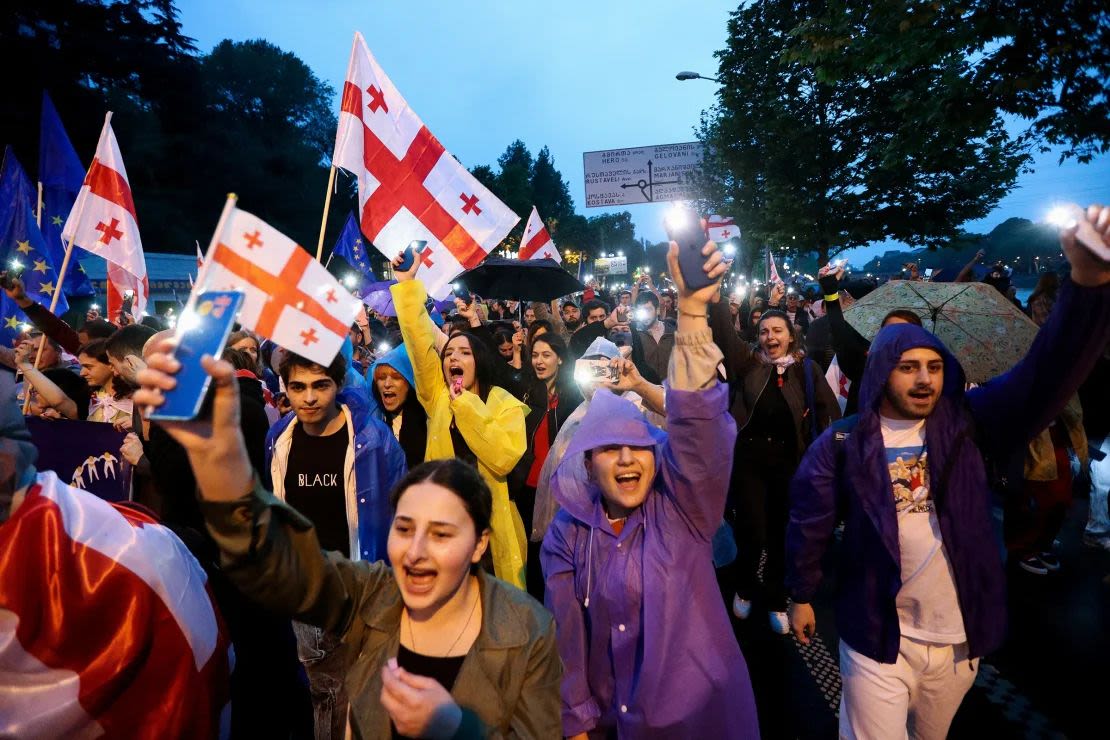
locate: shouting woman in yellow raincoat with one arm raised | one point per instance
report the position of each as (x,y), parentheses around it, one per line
(469,417)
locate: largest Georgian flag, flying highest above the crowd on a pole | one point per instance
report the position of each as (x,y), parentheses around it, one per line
(410,187)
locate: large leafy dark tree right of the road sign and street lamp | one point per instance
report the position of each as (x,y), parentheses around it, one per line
(902,149)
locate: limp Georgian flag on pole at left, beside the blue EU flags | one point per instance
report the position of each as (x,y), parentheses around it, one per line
(104,222)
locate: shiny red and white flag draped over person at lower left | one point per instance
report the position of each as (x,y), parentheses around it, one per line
(107,625)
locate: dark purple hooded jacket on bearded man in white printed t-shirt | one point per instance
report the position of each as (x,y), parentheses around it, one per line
(850,475)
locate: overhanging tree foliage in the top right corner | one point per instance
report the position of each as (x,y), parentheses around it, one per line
(1045,62)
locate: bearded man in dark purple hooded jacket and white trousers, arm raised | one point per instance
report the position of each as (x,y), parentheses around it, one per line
(922,584)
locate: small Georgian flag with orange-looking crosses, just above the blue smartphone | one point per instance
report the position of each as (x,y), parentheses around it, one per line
(291,298)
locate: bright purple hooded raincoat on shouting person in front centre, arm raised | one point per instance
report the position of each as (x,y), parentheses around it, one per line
(647,645)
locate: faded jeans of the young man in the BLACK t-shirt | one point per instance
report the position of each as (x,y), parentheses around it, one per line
(325,661)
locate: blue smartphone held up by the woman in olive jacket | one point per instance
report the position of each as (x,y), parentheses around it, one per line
(206,333)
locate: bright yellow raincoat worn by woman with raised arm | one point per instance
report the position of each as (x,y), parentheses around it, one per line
(495,430)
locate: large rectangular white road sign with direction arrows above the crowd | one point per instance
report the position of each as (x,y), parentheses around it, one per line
(643,175)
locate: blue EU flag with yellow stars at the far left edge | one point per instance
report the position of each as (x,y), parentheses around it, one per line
(23,248)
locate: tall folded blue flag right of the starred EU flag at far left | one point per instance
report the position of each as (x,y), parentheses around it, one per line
(62,176)
